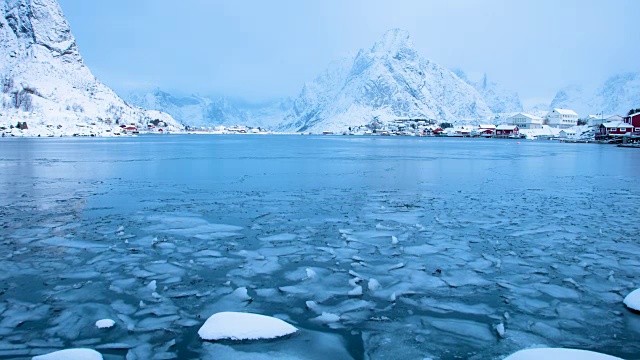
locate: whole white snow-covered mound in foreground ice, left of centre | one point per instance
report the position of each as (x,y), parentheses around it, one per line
(243,326)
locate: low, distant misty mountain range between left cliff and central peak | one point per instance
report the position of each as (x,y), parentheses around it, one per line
(198,111)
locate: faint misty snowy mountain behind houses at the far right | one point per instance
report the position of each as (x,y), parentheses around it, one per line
(617,95)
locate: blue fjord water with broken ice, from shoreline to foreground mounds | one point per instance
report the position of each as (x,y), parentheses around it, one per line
(373,248)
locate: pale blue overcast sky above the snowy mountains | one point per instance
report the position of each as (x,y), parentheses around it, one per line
(258,50)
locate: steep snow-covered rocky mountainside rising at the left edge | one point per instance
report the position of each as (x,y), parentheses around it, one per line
(44,80)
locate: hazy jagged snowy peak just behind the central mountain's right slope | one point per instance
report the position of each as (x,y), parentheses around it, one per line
(499,99)
